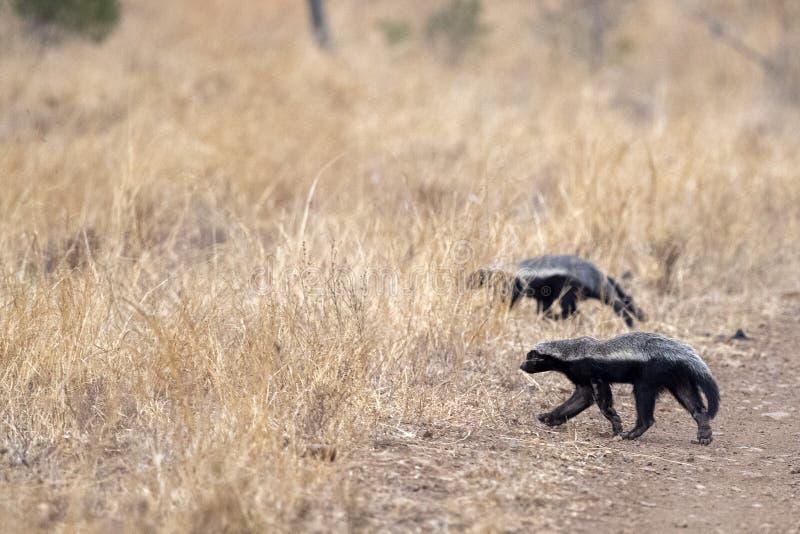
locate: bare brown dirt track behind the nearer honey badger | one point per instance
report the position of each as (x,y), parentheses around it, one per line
(747,480)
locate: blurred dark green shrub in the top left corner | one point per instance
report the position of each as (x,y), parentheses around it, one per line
(92,18)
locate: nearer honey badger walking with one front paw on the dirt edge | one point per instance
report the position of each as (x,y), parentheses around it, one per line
(652,363)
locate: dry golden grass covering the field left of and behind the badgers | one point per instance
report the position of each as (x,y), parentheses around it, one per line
(221,248)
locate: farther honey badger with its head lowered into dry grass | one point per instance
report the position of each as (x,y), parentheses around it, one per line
(565,278)
